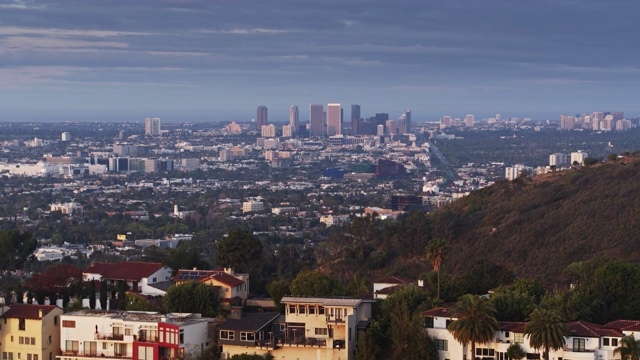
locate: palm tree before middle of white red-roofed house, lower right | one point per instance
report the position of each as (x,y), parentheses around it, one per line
(546,330)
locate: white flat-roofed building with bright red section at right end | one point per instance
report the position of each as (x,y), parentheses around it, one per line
(132,335)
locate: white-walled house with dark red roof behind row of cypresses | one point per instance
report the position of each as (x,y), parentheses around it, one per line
(141,277)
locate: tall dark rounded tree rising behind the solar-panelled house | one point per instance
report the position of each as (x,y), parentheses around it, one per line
(239,250)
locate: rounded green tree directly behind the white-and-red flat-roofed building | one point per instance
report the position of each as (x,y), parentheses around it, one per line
(193,297)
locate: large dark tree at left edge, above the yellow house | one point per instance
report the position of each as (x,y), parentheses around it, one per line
(15,248)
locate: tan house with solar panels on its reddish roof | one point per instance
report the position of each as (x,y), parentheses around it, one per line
(234,287)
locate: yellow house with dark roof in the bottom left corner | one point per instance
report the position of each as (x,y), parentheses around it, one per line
(30,332)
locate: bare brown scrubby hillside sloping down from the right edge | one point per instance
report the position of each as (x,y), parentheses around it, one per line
(538,226)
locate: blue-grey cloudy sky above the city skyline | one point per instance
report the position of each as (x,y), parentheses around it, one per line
(210,60)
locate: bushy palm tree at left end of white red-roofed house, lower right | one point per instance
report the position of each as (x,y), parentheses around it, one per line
(475,321)
